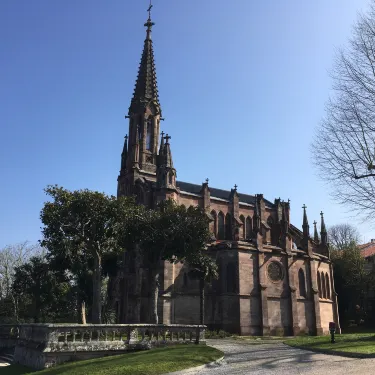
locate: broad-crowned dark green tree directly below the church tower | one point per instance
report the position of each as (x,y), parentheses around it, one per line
(169,233)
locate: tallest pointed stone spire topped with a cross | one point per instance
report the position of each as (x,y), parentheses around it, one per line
(146,89)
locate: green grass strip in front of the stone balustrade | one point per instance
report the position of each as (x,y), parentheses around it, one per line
(149,362)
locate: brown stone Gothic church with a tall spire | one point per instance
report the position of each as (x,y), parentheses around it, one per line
(274,279)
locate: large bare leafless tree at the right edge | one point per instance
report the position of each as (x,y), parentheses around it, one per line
(344,145)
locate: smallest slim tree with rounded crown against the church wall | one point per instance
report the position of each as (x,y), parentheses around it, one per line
(205,270)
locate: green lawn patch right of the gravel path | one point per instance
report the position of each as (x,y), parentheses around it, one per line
(355,343)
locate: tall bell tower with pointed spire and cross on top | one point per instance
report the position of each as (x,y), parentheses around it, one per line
(140,153)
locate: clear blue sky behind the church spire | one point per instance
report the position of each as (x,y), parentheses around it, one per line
(242,86)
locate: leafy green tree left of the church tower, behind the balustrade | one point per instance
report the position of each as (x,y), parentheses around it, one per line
(79,225)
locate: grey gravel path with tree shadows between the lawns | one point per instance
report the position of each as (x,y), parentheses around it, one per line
(247,357)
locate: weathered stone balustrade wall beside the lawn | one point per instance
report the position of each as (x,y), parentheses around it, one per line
(45,345)
